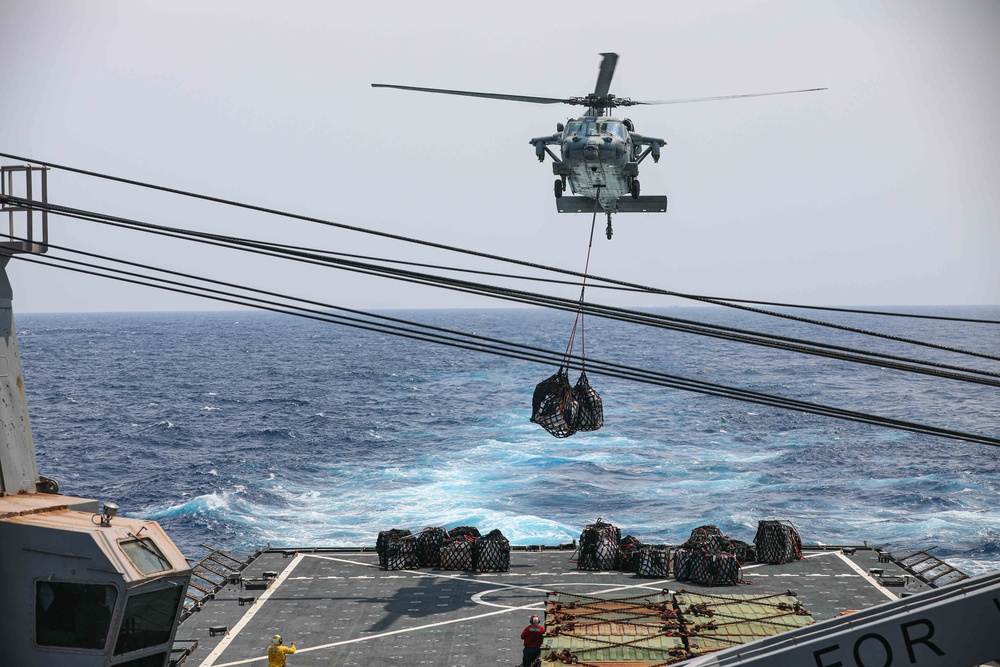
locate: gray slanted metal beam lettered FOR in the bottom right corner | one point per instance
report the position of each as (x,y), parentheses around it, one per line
(952,626)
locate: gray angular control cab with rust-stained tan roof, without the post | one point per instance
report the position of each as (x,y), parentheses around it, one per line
(52,540)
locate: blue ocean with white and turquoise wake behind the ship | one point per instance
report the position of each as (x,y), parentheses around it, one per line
(242,429)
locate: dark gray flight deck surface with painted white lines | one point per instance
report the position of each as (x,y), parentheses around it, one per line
(341,608)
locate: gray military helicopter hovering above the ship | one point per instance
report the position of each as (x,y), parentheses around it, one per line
(599,154)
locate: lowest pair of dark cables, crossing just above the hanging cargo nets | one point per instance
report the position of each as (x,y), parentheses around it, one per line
(497,347)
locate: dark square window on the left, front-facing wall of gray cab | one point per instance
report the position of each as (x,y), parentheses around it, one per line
(73,615)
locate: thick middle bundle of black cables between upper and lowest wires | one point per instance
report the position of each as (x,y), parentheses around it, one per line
(638,317)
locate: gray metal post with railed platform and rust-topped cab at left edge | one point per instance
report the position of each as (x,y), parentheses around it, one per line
(76,586)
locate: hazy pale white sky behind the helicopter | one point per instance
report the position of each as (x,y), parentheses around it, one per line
(881,190)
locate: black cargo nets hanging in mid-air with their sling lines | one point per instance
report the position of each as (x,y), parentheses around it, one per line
(563,409)
